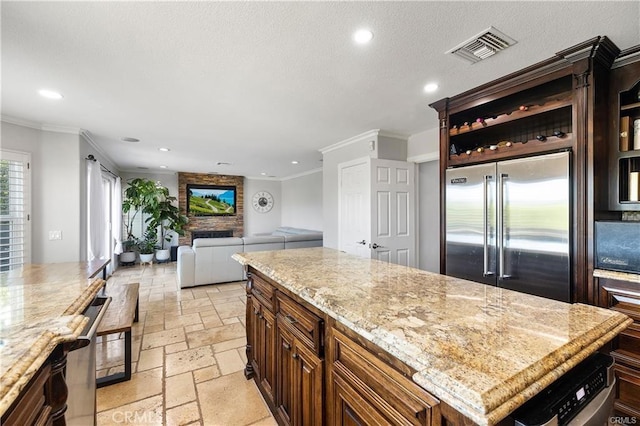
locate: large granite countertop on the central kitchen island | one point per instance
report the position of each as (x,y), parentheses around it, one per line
(481,349)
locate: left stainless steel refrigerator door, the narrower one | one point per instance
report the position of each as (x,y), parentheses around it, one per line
(471,223)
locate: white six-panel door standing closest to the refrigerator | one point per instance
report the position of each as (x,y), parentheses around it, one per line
(393,236)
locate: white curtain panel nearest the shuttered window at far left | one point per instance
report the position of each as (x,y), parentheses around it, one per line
(95,216)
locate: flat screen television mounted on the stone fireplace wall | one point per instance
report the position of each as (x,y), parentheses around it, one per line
(211,200)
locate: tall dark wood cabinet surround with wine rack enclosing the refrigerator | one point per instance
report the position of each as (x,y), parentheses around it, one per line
(557,104)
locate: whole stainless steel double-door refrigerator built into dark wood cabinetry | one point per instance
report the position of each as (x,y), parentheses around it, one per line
(508,224)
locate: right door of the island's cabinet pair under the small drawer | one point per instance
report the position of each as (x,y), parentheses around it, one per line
(307,386)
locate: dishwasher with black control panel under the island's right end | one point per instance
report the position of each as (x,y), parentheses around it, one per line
(582,397)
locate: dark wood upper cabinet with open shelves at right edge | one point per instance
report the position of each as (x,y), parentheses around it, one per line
(624,133)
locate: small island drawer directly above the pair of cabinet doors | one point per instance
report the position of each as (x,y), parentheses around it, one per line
(305,325)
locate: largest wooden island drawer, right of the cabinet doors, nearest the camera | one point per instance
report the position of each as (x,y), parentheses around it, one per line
(395,397)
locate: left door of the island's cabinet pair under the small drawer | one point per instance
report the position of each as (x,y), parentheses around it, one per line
(284,374)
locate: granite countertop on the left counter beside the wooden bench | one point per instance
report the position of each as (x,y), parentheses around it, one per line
(40,307)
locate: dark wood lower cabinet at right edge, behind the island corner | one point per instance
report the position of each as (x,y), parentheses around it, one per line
(624,296)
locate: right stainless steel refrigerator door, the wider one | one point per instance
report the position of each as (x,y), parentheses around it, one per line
(534,211)
